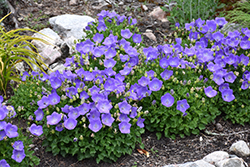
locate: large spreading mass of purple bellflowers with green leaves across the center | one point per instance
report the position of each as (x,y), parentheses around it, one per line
(114,88)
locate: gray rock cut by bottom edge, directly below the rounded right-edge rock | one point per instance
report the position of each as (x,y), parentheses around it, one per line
(232,162)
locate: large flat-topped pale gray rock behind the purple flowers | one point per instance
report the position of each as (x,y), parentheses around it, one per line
(70,25)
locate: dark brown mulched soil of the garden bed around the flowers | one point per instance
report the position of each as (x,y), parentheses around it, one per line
(163,151)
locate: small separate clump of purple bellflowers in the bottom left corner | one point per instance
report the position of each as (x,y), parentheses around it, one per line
(14,150)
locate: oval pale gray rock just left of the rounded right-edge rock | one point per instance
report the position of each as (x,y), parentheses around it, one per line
(216,156)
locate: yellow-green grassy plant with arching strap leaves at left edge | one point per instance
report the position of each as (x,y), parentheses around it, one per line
(15,48)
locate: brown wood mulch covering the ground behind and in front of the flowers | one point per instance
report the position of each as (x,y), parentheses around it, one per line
(161,152)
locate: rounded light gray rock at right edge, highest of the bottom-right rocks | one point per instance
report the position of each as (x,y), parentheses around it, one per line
(240,148)
